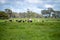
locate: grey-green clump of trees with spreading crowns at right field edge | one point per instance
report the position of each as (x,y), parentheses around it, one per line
(51,13)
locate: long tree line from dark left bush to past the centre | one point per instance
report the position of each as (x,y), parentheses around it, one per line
(8,13)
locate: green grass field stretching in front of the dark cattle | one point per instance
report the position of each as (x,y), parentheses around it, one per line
(47,30)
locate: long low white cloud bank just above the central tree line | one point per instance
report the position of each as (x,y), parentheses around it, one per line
(24,9)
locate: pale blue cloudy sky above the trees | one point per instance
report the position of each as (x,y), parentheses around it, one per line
(33,5)
